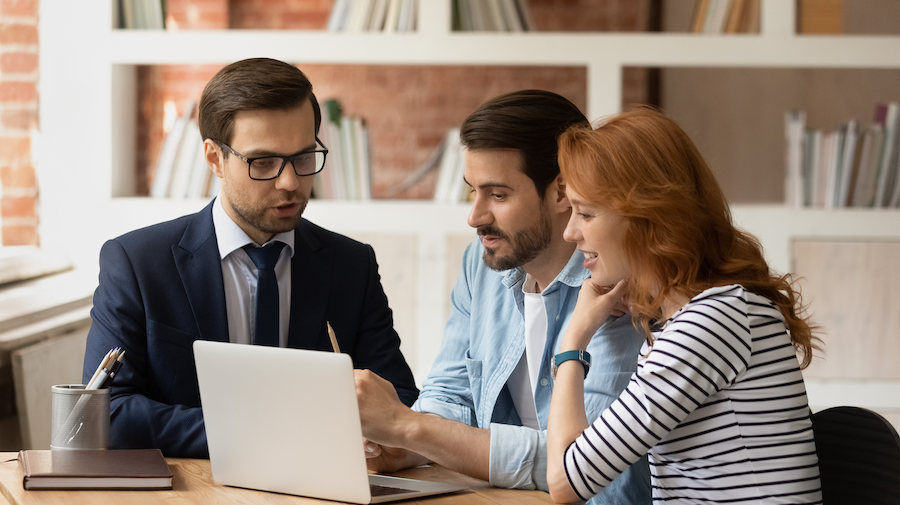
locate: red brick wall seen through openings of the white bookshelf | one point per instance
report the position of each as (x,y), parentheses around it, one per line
(407,108)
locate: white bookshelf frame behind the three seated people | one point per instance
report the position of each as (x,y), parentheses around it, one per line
(88,122)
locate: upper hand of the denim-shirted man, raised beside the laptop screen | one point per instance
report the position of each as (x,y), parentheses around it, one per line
(383,416)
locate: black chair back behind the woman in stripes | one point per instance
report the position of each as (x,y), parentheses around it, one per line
(859,457)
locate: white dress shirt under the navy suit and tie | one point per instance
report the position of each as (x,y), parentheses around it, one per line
(240,275)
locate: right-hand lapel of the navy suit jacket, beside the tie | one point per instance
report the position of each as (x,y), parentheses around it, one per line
(311,269)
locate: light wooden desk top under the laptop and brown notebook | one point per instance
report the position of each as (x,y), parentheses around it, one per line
(193,484)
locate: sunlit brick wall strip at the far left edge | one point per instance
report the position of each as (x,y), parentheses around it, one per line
(18,121)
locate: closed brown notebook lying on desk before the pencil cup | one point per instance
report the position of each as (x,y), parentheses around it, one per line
(143,469)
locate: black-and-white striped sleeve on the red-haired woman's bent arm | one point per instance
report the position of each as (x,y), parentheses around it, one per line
(702,350)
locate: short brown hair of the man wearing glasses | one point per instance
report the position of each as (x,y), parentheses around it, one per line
(252,84)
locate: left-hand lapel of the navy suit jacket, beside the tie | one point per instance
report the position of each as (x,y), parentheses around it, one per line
(200,268)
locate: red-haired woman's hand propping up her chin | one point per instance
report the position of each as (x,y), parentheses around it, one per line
(595,305)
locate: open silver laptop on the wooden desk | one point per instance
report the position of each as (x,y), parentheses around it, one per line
(286,420)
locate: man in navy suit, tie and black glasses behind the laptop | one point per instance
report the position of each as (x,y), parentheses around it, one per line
(201,276)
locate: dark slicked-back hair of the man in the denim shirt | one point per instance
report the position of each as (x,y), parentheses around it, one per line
(529,121)
